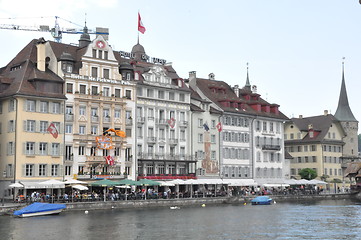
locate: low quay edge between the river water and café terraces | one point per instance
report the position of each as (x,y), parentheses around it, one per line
(7,208)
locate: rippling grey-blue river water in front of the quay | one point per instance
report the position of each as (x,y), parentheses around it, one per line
(327,219)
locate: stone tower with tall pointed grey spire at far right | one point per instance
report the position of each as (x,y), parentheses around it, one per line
(349,124)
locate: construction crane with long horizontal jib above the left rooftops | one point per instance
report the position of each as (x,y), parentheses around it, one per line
(56,31)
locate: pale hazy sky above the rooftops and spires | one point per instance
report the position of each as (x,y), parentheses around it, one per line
(294,48)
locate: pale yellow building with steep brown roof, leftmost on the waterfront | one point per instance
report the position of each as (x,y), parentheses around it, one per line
(32,104)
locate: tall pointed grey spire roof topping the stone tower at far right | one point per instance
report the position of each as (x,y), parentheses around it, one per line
(343,112)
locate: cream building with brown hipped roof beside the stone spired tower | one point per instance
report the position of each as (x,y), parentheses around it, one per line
(316,143)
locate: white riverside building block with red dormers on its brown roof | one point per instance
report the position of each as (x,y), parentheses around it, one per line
(247,149)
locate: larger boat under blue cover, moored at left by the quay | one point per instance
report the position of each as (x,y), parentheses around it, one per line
(40,209)
